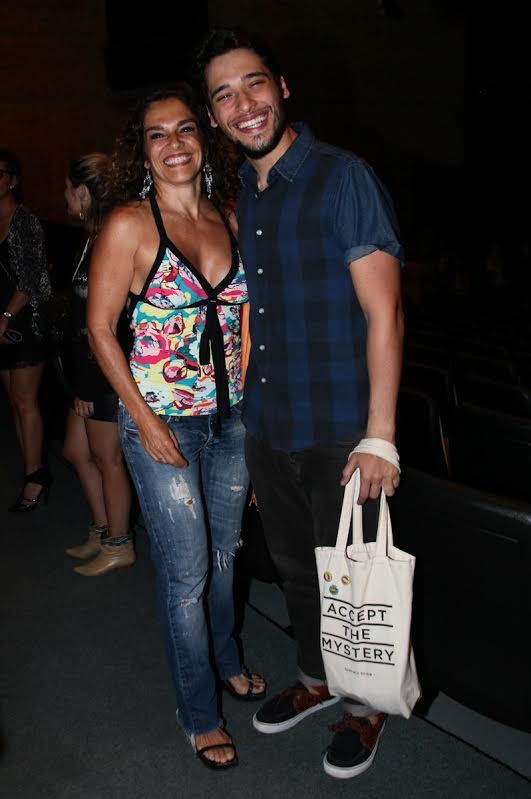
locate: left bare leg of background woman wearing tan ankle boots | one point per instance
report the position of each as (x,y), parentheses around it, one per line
(76,450)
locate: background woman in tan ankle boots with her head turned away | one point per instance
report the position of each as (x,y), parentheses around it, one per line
(92,443)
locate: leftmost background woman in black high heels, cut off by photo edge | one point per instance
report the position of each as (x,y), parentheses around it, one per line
(24,285)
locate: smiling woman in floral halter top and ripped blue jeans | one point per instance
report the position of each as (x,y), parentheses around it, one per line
(171,254)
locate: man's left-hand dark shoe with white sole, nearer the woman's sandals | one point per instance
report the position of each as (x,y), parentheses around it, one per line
(291,706)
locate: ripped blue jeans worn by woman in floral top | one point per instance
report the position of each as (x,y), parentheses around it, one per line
(193,517)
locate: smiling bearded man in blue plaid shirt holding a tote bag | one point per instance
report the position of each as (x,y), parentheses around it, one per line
(319,242)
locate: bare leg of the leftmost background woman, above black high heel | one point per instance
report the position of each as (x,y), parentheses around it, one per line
(23,392)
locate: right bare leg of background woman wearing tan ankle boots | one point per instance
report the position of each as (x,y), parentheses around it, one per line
(104,443)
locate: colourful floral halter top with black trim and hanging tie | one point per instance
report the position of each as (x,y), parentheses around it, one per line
(186,353)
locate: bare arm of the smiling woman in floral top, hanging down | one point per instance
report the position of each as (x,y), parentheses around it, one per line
(112,270)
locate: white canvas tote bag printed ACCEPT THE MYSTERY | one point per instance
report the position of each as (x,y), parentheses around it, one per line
(366,598)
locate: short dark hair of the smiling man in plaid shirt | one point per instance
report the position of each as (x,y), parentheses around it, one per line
(222,40)
